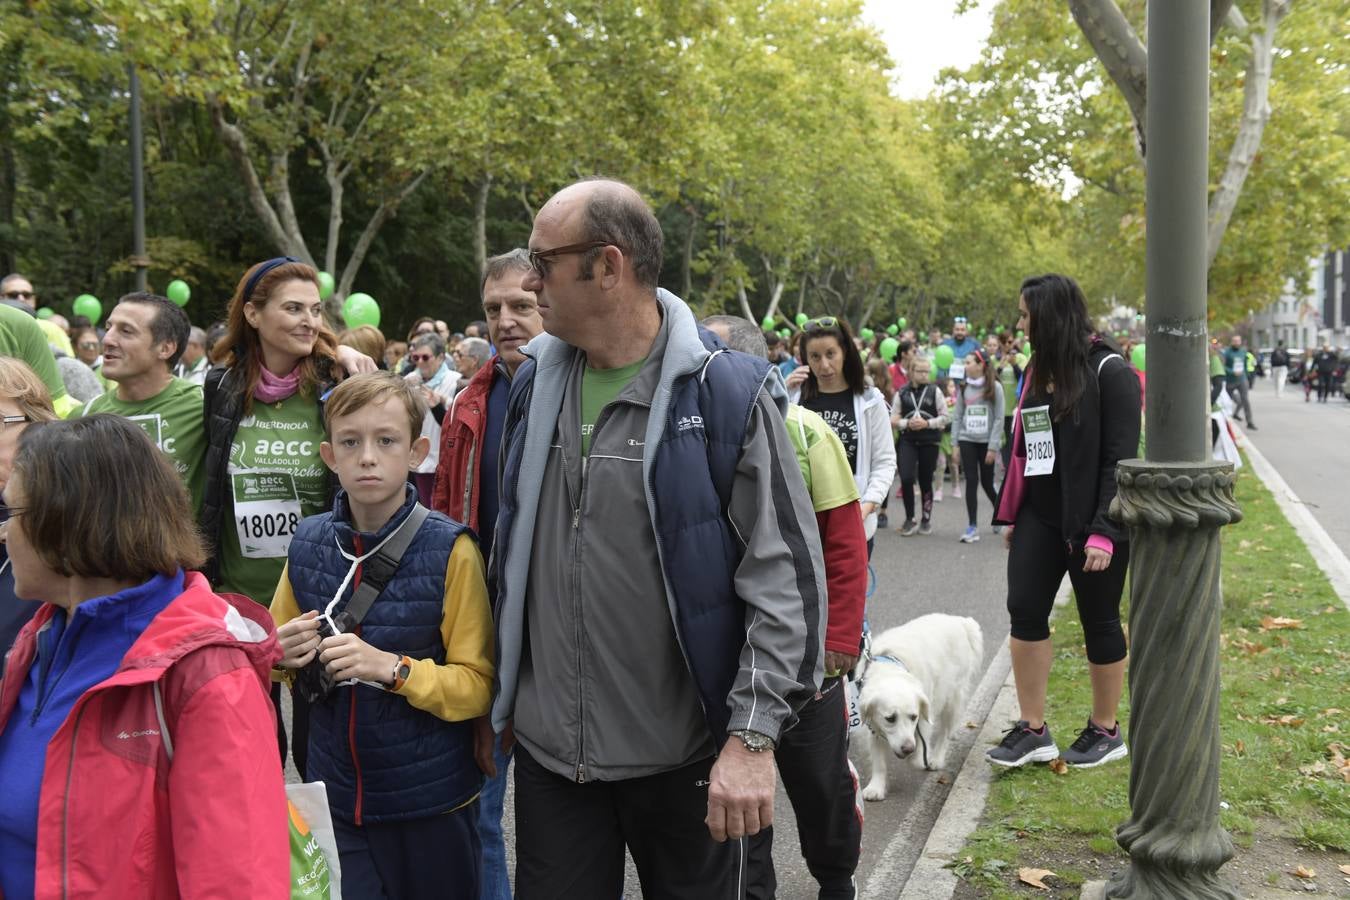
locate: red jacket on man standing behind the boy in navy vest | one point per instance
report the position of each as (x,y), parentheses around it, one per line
(456,492)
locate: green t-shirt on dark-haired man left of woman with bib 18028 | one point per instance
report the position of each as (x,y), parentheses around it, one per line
(173,420)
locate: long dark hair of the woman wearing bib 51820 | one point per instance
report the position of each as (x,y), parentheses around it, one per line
(1060,331)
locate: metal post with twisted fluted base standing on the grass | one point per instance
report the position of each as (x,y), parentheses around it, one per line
(1177,501)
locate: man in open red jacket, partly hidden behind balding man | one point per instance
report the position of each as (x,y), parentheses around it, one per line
(466,490)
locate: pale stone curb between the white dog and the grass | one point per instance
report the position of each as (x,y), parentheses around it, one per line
(965,805)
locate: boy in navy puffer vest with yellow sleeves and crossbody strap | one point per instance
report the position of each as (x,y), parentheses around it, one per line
(392,740)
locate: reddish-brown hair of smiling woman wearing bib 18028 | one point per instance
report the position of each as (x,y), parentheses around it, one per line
(241,345)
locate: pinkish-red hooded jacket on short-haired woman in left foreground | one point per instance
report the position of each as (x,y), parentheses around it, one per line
(115,818)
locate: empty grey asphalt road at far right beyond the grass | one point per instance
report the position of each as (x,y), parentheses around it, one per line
(1307,443)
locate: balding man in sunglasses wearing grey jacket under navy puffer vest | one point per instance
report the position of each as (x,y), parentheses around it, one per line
(605,651)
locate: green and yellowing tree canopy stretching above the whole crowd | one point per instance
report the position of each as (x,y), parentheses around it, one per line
(399,148)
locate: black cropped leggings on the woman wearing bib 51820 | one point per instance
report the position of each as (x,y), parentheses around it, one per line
(1037,563)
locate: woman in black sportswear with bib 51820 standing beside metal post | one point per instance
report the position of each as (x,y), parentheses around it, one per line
(1078,418)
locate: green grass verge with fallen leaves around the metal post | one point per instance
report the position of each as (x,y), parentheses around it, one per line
(1285,670)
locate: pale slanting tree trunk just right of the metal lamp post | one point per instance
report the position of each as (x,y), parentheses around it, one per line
(1256,113)
